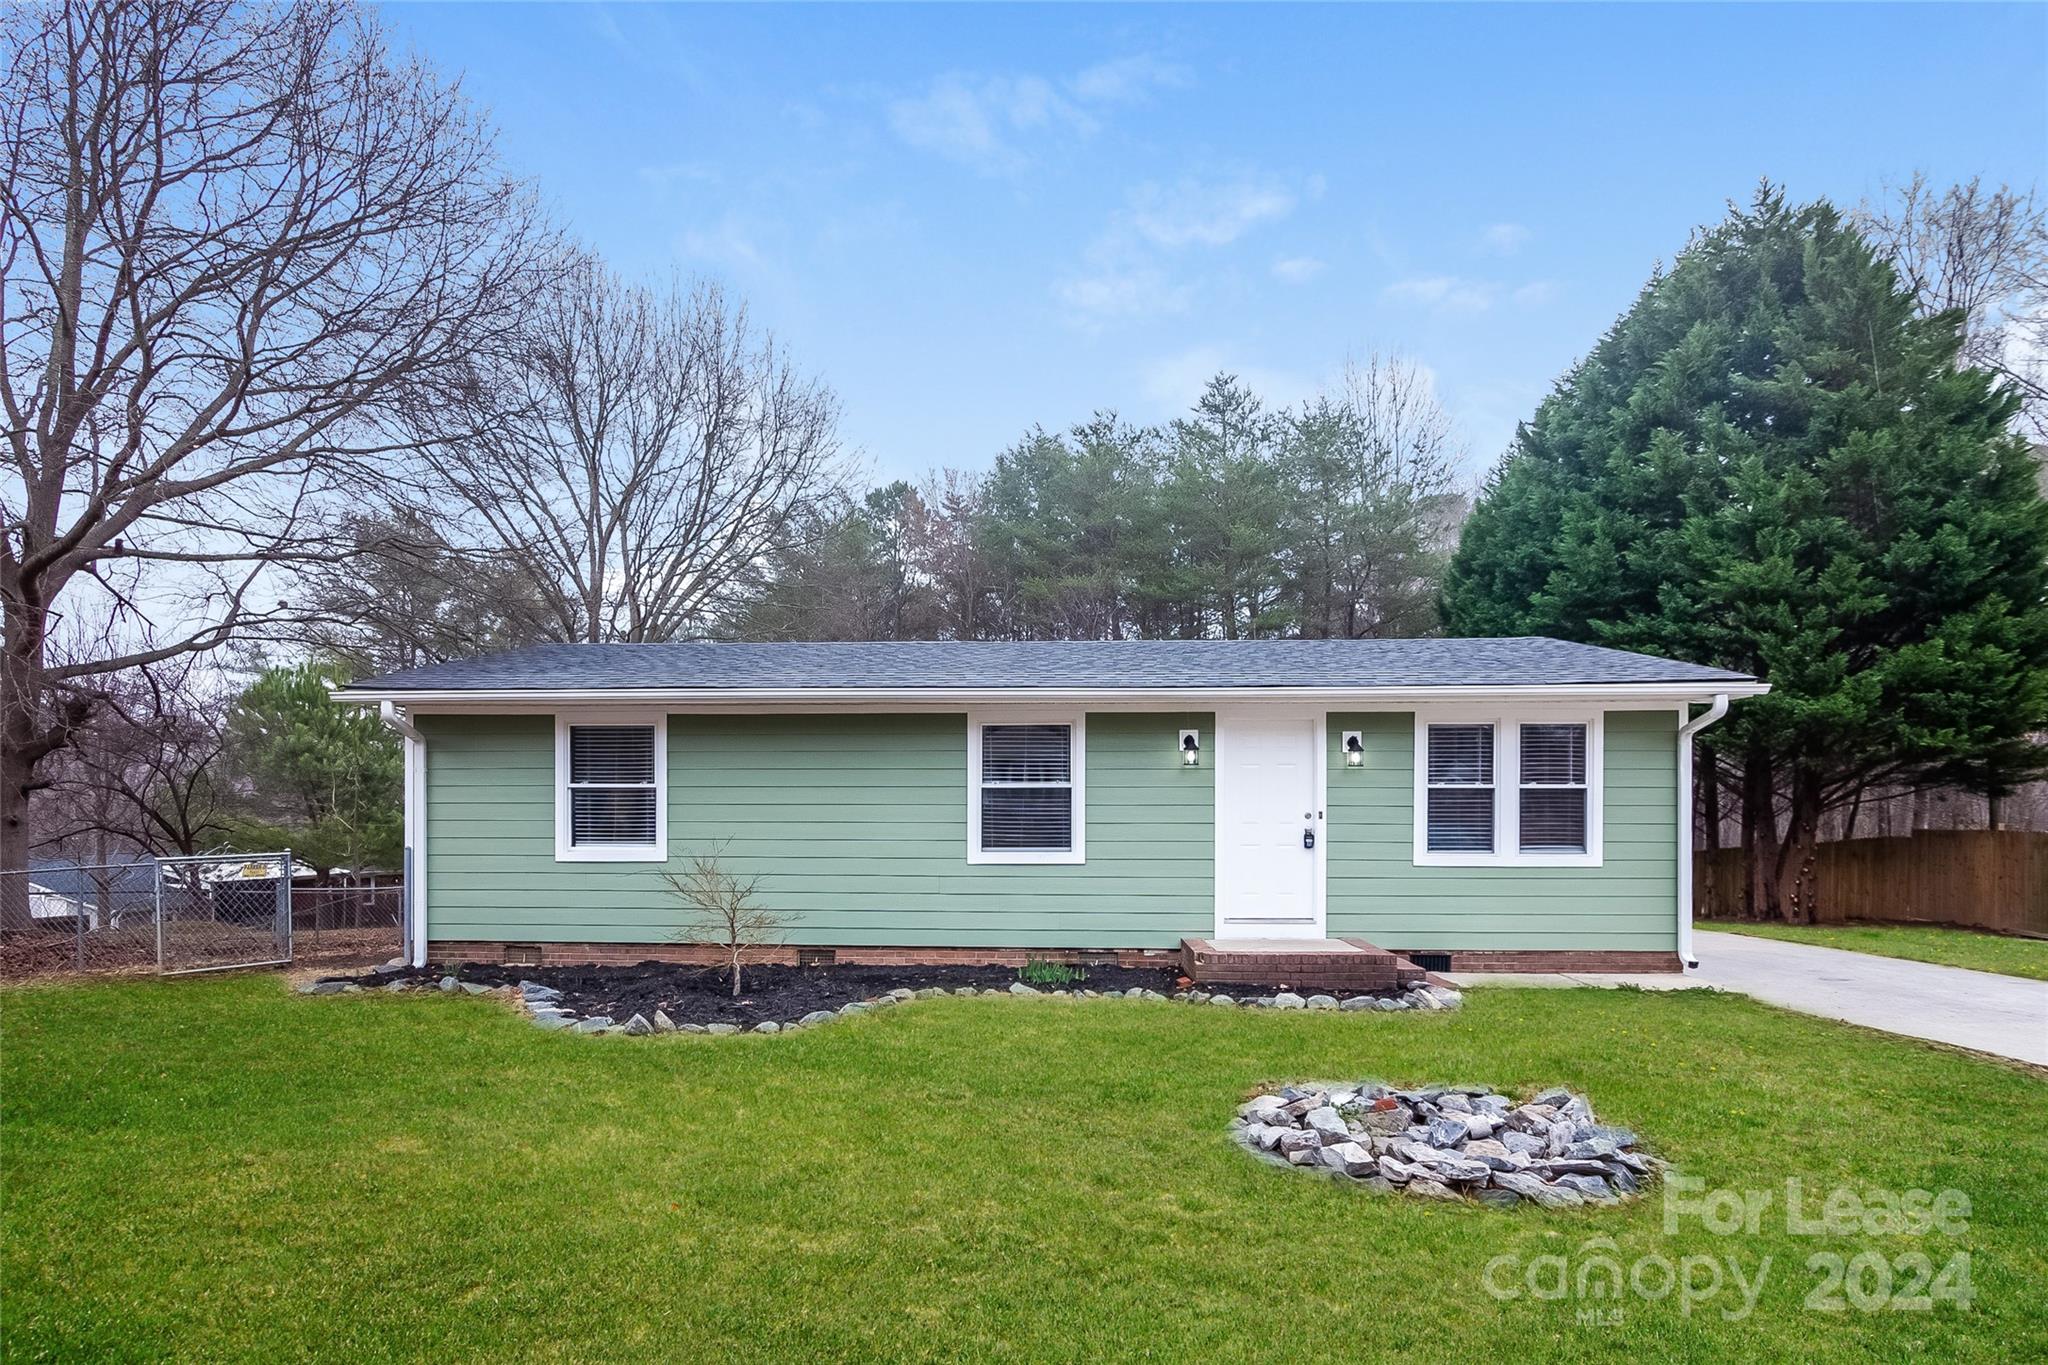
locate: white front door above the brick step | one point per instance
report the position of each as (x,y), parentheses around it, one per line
(1269,828)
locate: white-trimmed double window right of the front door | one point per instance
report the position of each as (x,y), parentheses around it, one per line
(1508,791)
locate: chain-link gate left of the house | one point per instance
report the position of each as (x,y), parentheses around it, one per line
(222,912)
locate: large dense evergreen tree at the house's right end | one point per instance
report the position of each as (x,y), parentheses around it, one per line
(1770,464)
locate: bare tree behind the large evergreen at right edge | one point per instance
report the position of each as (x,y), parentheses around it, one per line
(1986,255)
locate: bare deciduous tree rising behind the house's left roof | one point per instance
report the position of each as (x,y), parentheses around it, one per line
(634,457)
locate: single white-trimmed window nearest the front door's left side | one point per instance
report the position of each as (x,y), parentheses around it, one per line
(1027,789)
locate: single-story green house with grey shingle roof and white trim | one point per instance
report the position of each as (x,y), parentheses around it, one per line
(1510,803)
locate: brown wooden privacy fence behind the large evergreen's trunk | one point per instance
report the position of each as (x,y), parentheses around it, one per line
(1981,879)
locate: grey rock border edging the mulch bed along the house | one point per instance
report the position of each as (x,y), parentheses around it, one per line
(546,1004)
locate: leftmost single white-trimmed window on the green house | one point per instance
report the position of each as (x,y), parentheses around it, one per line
(611,791)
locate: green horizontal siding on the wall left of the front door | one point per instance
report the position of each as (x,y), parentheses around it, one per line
(857,828)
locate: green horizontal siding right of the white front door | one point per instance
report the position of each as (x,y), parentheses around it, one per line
(1379,893)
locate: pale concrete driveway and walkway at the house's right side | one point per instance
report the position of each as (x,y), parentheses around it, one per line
(2004,1016)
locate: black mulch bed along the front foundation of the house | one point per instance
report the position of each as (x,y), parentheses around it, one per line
(781,994)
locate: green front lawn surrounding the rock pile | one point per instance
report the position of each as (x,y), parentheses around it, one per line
(218,1170)
